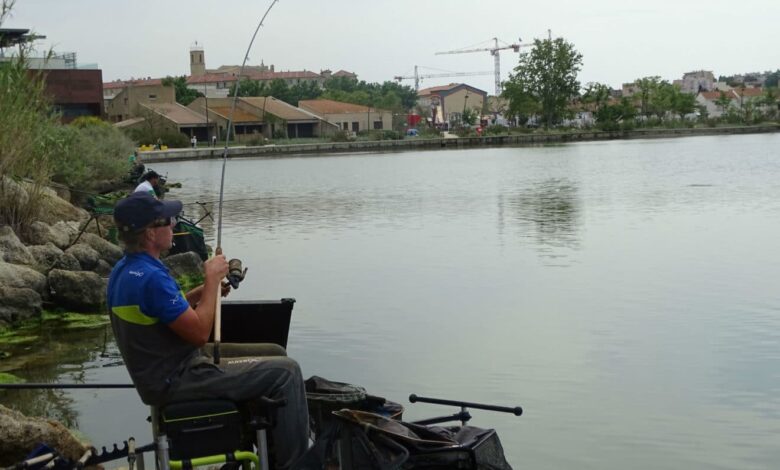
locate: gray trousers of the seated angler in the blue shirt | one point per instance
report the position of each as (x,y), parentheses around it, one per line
(248,371)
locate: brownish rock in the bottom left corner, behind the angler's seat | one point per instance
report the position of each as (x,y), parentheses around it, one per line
(20,434)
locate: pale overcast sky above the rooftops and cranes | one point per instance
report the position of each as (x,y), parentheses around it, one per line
(620,40)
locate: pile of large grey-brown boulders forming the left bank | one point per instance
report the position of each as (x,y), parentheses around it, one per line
(58,265)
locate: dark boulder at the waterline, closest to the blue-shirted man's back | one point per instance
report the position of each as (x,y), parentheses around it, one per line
(82,291)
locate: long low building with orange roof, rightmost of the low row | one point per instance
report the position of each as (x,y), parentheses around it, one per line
(349,116)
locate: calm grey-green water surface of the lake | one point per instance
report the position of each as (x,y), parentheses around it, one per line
(624,293)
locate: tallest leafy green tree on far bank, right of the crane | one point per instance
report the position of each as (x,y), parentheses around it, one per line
(548,76)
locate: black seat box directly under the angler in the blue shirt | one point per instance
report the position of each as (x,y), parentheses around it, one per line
(201,428)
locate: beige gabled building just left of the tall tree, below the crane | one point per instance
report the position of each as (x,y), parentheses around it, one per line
(447,103)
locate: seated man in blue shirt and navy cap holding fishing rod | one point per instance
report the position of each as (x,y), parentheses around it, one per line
(160,330)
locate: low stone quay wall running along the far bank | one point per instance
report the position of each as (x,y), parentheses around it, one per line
(186,154)
